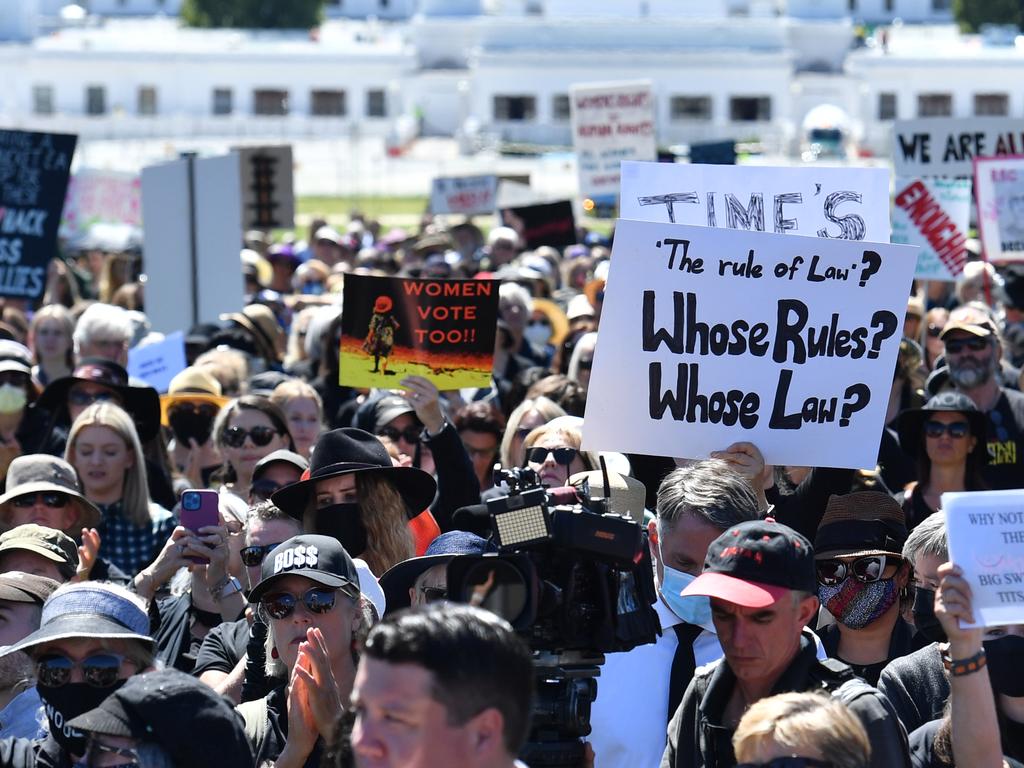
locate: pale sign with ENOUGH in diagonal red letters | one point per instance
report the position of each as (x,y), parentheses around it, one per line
(933,216)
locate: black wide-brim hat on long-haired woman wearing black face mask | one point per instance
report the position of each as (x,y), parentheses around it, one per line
(351,451)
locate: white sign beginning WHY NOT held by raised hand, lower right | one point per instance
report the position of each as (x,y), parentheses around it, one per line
(987,540)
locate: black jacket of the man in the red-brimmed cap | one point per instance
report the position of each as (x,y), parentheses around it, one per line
(700,739)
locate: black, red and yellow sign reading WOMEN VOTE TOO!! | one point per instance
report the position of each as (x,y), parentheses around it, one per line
(443,330)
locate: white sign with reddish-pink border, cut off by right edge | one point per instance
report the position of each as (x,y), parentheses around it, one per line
(999,186)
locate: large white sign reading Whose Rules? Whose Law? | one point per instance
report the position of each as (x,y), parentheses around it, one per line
(712,336)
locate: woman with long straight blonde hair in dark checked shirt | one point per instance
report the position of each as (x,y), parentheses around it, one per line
(105,449)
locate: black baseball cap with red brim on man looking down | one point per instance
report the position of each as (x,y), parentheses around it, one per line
(755,565)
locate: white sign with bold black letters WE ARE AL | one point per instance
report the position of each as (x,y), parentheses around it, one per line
(948,147)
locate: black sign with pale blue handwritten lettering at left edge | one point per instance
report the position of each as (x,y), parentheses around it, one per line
(34,170)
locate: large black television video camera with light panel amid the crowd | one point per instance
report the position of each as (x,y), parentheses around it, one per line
(576,581)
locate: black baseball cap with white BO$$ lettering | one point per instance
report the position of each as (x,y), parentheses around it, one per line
(320,559)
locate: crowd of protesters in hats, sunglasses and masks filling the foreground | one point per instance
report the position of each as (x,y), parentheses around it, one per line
(808,615)
